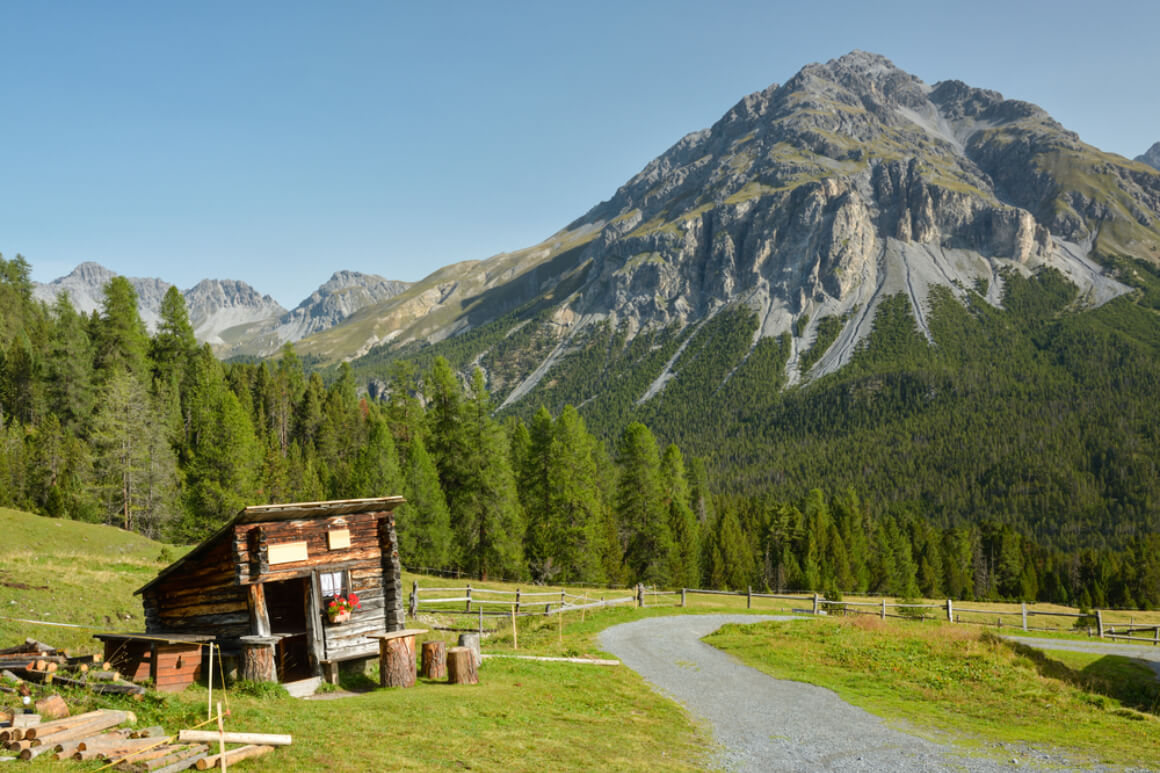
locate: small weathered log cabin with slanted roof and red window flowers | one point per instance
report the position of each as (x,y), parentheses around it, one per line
(263,584)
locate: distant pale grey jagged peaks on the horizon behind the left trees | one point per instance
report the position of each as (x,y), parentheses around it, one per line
(231,315)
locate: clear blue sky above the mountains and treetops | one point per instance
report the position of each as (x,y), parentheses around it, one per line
(280,142)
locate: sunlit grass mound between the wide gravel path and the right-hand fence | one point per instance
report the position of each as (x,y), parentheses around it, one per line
(975,689)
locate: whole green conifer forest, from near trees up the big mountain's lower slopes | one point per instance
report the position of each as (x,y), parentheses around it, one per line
(830,487)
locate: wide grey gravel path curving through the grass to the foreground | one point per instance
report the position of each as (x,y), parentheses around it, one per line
(772,725)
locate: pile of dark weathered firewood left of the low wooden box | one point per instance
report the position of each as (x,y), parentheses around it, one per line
(43,664)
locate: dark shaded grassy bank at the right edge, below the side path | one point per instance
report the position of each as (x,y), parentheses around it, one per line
(1123,680)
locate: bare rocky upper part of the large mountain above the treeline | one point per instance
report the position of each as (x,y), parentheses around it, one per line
(809,204)
